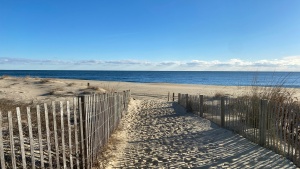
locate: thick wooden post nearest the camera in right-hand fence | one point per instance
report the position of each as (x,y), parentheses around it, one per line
(262,122)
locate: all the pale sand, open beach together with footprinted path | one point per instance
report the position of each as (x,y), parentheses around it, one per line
(155,133)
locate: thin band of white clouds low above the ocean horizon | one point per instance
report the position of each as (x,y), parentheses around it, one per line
(290,63)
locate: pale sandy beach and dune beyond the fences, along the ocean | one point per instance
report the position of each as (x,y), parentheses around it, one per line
(38,90)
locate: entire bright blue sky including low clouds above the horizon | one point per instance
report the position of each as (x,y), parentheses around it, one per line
(197,35)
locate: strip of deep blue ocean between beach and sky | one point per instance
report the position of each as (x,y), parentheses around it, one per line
(225,78)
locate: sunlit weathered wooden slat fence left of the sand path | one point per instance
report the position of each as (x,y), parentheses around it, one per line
(60,135)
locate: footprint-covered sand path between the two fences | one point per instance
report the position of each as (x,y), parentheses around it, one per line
(162,135)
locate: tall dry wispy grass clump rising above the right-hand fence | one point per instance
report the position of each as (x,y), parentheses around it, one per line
(280,100)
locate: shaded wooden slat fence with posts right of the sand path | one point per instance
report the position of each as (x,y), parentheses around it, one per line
(274,125)
